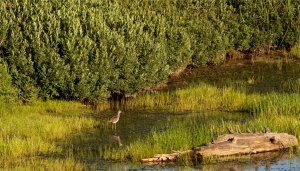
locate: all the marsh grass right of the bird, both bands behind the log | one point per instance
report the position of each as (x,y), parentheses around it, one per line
(279,112)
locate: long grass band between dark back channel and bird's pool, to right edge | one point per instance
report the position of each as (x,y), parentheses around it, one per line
(207,97)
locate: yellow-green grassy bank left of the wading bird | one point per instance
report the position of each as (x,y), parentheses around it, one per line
(29,134)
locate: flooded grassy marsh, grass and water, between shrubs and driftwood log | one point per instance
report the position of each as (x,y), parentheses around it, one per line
(70,135)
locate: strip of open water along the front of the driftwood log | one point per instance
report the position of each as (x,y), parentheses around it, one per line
(283,163)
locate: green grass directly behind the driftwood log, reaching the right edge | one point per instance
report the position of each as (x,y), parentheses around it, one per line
(183,135)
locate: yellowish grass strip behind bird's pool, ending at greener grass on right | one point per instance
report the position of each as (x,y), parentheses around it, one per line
(198,97)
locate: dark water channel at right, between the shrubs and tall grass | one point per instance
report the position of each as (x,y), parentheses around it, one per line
(263,77)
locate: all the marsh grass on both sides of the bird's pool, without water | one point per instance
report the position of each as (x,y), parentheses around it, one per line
(34,130)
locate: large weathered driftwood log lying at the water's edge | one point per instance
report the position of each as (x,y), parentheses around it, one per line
(235,144)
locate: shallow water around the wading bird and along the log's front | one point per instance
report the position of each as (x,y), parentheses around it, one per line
(138,124)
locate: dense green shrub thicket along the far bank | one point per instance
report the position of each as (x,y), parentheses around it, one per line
(87,50)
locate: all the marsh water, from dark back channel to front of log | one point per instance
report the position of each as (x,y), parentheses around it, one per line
(276,77)
